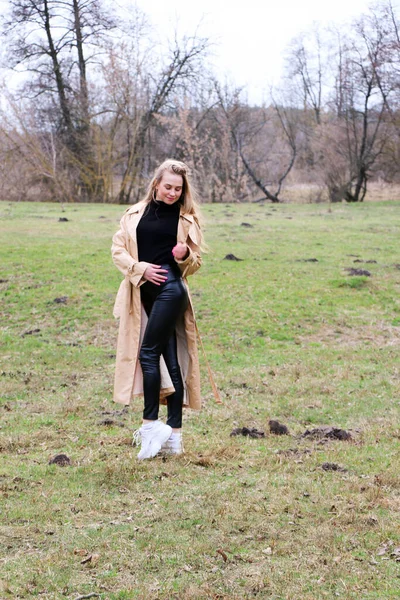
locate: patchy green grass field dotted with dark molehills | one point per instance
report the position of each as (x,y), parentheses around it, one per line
(290,335)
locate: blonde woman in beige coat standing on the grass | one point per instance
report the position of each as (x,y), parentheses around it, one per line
(157,246)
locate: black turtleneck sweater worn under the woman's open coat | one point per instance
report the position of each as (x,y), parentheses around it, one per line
(156,233)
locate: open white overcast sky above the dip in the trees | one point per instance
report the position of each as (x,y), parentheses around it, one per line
(251,35)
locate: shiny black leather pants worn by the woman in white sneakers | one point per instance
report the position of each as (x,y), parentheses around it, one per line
(164,304)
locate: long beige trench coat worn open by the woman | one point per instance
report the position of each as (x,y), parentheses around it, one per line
(128,308)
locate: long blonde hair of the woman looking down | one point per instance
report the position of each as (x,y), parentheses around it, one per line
(189,196)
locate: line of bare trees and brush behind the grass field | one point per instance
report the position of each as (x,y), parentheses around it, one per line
(99,106)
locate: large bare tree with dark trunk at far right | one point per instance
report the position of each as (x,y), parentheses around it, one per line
(352,133)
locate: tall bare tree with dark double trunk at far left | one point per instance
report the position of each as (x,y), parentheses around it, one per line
(54,40)
